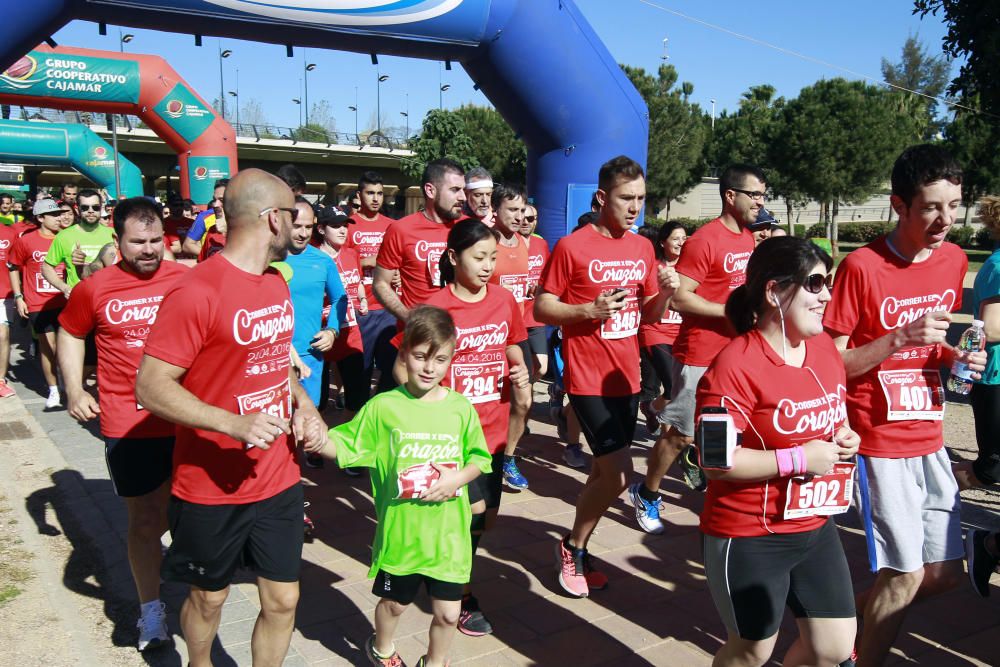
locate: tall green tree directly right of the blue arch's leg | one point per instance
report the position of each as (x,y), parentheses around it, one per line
(677,133)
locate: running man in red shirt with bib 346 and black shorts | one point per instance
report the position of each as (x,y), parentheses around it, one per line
(599,285)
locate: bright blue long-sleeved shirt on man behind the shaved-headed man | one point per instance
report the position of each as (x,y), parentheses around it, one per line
(314,275)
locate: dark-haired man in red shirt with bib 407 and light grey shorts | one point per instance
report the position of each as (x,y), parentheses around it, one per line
(891,308)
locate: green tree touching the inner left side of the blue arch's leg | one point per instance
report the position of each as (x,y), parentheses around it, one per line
(496,147)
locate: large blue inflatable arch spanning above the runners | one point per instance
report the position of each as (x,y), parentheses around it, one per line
(538,61)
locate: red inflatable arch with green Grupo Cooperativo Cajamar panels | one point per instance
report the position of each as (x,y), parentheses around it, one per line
(145,86)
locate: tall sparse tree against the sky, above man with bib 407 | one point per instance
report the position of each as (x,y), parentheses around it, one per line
(923,73)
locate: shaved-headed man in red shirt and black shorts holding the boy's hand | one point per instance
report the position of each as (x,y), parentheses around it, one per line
(219,369)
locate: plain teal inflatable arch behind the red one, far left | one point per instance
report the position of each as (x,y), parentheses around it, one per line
(74,145)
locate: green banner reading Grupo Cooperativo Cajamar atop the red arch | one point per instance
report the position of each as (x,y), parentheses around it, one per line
(62,75)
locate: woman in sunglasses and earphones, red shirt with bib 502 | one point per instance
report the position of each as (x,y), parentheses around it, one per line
(768,535)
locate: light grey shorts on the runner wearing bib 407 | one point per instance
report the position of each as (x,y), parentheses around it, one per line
(910,509)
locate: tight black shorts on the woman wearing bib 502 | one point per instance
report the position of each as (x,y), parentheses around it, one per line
(753,578)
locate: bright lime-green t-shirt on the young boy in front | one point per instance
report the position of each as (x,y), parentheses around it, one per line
(393,432)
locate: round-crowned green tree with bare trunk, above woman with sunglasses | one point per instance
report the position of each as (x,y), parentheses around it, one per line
(839,139)
